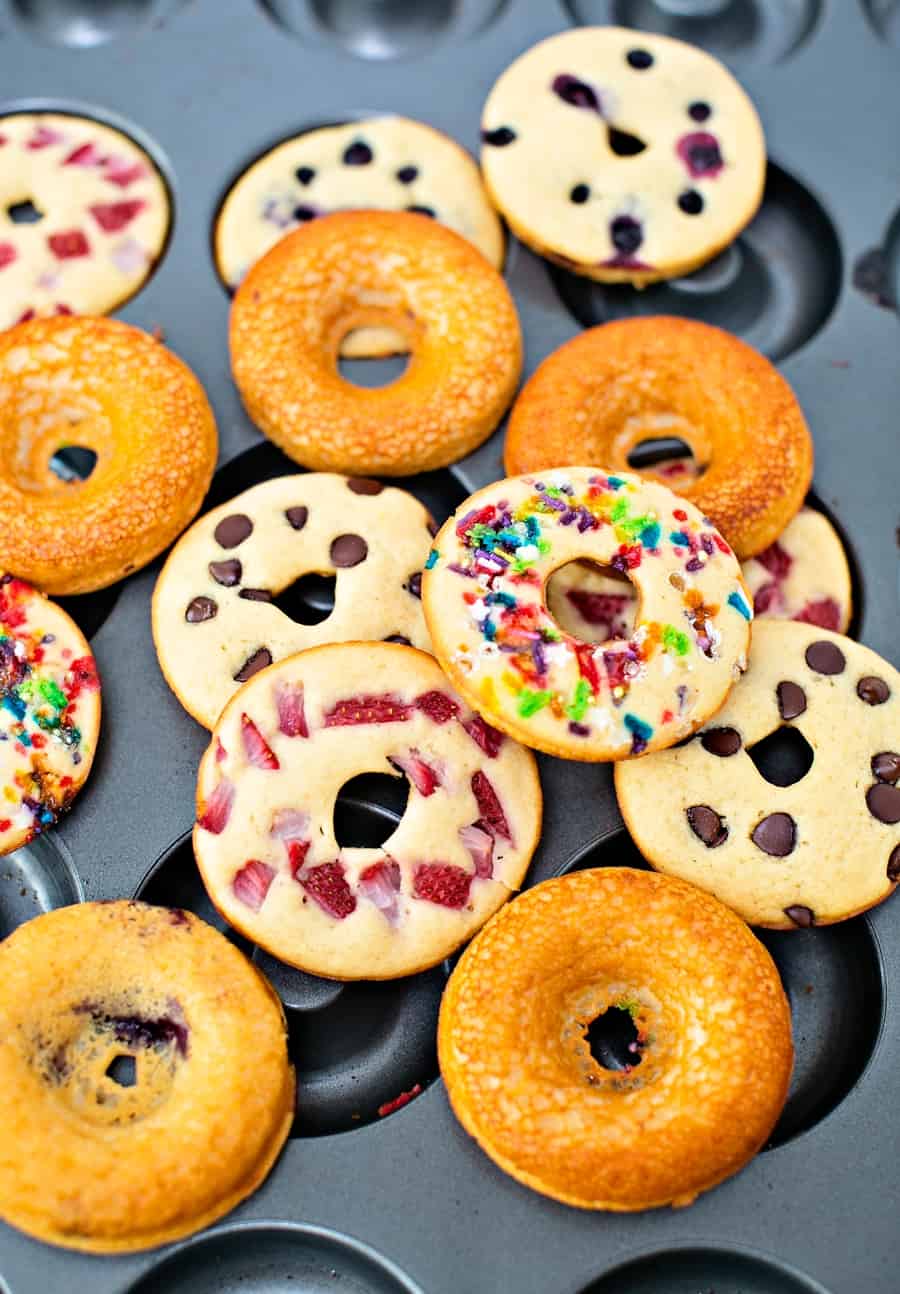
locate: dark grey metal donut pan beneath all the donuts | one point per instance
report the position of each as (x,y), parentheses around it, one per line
(402,1200)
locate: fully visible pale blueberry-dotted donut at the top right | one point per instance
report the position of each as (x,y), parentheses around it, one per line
(623,156)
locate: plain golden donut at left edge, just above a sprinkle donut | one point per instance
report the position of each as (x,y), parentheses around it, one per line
(112,389)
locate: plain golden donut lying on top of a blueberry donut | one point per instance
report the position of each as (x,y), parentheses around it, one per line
(376,269)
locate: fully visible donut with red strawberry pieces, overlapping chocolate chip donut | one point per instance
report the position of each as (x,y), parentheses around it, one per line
(266,840)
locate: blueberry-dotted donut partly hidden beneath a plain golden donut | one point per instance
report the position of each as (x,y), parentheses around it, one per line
(387,164)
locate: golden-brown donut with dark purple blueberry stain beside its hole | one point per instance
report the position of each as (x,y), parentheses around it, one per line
(103,1168)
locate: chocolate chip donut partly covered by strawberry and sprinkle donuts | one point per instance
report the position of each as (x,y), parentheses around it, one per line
(217,619)
